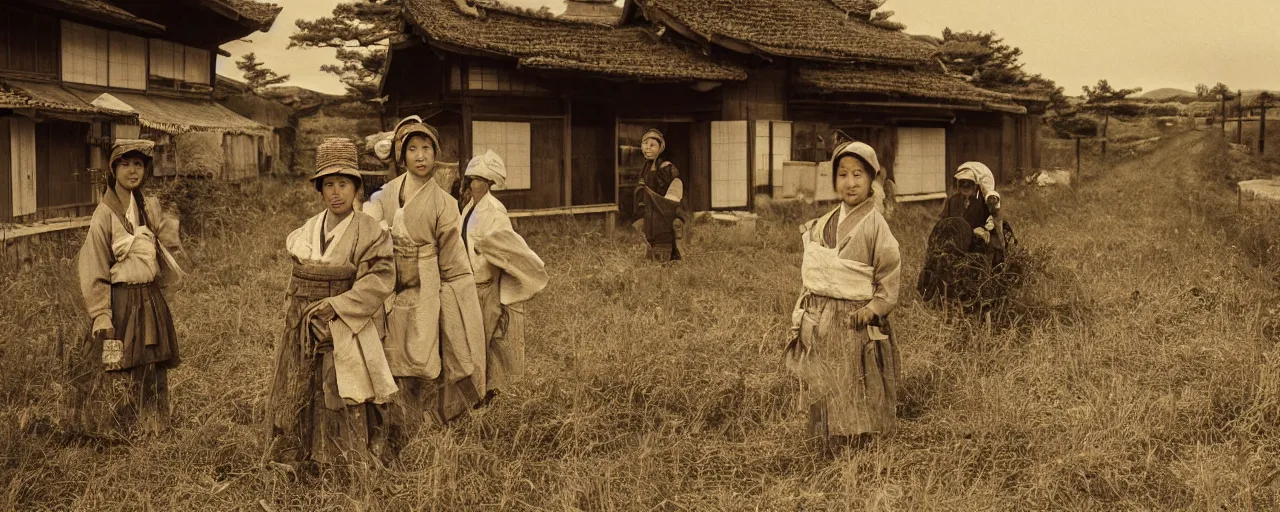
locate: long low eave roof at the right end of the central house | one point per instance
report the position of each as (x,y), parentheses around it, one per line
(900,84)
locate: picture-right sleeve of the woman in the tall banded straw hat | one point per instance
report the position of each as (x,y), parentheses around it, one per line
(376,277)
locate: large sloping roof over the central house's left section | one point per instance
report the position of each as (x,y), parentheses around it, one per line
(560,45)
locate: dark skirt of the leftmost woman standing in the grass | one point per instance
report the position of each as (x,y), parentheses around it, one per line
(131,396)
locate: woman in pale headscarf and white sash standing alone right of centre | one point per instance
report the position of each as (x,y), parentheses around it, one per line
(843,348)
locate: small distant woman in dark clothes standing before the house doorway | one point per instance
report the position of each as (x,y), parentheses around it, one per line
(662,190)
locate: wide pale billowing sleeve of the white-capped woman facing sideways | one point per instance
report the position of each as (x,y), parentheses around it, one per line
(508,250)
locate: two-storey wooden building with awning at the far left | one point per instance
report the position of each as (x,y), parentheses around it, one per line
(76,75)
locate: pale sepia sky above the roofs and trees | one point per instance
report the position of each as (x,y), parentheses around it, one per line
(1148,44)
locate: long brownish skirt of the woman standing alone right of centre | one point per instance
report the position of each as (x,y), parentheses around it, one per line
(852,381)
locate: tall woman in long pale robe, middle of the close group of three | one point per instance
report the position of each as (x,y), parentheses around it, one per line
(436,342)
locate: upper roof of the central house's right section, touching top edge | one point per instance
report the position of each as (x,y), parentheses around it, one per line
(794,29)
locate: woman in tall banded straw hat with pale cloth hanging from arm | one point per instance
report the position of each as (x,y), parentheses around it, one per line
(331,372)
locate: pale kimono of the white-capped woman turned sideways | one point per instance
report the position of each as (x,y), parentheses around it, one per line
(508,275)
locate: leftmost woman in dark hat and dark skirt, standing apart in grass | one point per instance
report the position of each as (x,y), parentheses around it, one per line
(121,371)
